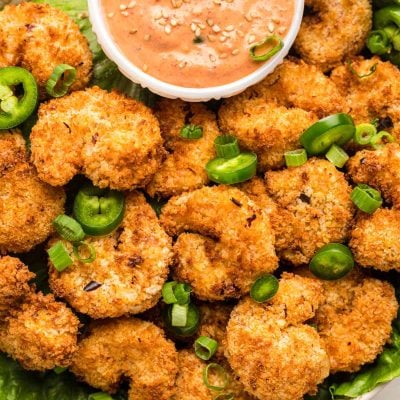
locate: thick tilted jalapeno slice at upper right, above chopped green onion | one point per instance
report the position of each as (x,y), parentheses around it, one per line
(335,129)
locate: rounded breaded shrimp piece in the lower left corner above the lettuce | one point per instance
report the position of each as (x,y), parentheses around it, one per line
(41,334)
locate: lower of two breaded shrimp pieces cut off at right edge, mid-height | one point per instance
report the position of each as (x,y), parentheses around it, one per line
(375,240)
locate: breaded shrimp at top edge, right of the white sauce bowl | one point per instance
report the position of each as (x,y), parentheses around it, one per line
(321,42)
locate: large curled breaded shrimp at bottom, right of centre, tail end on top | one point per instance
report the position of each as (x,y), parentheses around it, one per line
(270,344)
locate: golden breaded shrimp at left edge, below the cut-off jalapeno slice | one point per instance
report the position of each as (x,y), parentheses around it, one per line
(27,205)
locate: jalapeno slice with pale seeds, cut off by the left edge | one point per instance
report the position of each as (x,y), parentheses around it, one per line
(16,107)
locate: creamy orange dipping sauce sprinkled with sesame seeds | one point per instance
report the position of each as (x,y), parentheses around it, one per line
(195,43)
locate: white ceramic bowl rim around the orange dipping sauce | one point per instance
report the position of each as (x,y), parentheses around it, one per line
(164,89)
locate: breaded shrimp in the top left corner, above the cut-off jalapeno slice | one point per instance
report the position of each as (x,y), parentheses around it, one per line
(39,37)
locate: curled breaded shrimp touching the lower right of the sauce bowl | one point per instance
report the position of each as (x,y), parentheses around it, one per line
(270,117)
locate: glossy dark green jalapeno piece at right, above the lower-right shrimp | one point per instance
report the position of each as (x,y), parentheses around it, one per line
(332,261)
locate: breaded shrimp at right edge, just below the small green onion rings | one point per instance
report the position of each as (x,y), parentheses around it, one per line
(380,169)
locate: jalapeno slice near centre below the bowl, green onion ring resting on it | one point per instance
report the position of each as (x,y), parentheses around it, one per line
(235,170)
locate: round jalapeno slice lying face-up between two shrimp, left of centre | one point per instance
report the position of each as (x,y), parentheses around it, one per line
(99,211)
